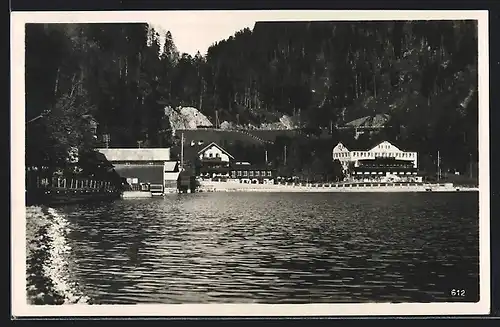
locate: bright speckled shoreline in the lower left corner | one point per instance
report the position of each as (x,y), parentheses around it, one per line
(47,275)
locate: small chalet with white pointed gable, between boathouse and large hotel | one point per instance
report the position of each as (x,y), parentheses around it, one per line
(214,161)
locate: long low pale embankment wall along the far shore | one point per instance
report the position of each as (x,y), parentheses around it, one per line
(230,186)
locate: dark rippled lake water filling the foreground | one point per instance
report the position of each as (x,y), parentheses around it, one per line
(275,248)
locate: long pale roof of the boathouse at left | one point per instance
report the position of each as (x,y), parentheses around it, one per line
(136,154)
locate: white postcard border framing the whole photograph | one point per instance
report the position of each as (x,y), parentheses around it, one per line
(20,308)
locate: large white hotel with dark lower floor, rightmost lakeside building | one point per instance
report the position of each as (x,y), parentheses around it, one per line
(384,161)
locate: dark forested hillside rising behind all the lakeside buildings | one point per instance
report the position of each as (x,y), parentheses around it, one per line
(322,74)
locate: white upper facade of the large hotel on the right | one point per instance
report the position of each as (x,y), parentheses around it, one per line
(384,150)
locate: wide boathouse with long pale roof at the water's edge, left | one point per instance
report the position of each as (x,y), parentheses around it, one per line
(144,168)
